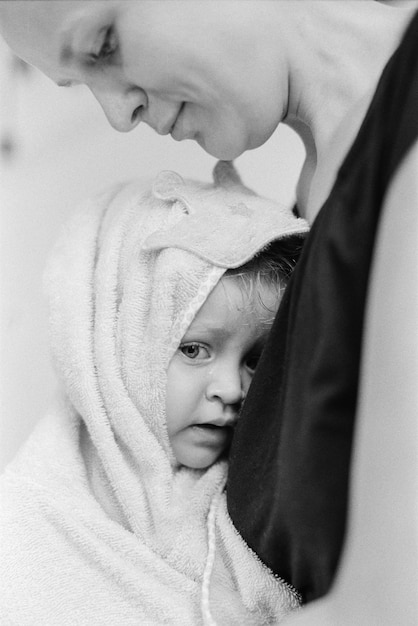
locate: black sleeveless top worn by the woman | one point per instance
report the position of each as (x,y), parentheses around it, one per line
(290,458)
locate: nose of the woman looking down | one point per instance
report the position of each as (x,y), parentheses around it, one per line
(122,107)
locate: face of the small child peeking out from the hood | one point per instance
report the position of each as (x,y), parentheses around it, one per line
(210,373)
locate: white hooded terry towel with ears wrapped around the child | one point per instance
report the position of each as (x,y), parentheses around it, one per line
(99,524)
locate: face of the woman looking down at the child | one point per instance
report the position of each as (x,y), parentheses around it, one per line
(185,68)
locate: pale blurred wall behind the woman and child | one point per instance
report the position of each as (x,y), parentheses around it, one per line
(65,150)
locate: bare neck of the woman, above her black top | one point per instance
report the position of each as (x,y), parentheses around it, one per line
(337,54)
